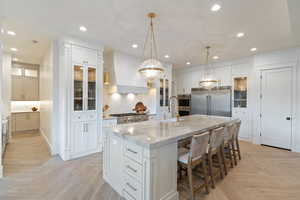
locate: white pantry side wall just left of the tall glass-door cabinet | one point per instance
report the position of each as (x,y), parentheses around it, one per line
(46,97)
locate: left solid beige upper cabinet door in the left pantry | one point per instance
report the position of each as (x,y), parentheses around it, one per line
(17,92)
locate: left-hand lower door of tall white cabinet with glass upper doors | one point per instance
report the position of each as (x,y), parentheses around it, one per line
(78,142)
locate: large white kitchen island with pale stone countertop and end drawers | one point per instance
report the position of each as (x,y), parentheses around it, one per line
(140,159)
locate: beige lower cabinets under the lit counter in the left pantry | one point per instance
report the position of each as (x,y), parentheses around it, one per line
(25,121)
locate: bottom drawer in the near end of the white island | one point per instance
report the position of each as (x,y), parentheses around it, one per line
(132,188)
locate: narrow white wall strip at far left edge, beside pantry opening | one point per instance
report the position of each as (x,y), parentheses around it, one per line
(6,84)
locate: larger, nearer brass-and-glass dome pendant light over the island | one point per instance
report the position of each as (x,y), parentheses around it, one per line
(151,68)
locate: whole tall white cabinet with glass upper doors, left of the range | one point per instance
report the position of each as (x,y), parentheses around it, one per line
(84,82)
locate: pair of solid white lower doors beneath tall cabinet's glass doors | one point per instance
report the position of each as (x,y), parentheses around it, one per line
(84,138)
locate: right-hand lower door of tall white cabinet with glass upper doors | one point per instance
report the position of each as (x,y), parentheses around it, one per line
(91,136)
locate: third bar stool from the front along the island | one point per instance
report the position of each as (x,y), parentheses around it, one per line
(228,141)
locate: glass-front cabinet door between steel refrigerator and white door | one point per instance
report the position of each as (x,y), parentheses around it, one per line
(240,92)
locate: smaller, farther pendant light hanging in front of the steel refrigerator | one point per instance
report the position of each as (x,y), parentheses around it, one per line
(207,81)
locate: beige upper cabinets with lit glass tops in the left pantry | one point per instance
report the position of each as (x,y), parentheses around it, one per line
(25,82)
